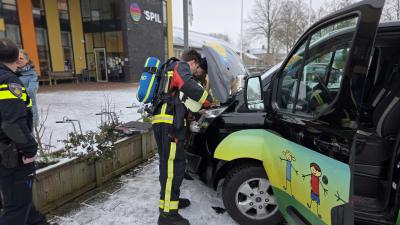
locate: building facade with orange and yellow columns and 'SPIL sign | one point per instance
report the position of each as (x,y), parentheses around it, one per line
(108,39)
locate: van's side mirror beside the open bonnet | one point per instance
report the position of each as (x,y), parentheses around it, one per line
(254,94)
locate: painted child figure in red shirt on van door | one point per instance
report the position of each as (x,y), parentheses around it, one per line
(316,174)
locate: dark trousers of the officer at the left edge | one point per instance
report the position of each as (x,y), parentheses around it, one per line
(16,190)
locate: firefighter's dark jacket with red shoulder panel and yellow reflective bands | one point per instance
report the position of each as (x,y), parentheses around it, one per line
(171,110)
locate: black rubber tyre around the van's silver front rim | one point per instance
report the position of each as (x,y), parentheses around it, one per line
(233,181)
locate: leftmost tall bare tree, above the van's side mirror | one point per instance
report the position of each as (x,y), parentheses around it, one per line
(263,20)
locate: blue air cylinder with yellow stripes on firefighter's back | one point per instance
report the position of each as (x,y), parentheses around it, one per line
(149,80)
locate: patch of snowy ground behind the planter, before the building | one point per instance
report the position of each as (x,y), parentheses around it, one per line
(83,105)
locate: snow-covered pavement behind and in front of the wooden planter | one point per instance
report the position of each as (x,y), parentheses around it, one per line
(133,198)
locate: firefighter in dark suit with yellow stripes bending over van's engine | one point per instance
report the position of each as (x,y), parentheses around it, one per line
(169,124)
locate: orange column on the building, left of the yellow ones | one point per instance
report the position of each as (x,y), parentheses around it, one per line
(28,31)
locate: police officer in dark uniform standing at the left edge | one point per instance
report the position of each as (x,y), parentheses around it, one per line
(17,145)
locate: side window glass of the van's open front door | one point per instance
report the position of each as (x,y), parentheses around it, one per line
(309,85)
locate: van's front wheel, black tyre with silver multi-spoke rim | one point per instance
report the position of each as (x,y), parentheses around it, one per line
(248,197)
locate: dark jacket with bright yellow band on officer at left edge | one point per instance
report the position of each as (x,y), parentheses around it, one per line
(15,114)
